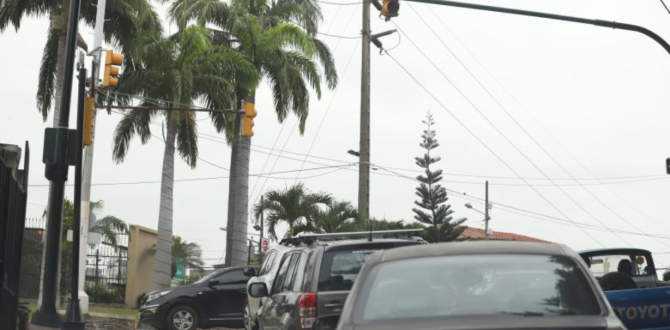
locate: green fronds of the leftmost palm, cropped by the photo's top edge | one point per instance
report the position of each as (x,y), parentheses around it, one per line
(124,18)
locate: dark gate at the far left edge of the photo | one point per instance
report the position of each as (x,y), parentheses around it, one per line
(13,198)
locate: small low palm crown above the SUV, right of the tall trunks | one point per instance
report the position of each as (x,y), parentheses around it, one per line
(294,206)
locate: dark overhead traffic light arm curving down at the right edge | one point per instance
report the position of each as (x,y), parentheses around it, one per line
(596,22)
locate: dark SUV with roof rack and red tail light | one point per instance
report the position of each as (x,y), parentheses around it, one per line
(315,276)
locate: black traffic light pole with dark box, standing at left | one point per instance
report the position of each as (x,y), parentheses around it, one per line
(57,174)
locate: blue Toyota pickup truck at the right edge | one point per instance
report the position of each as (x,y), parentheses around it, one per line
(628,277)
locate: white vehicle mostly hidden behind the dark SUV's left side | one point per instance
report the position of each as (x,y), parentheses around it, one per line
(266,274)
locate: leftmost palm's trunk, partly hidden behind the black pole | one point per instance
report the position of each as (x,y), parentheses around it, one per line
(58,95)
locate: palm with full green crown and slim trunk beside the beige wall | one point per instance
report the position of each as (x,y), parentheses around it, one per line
(180,70)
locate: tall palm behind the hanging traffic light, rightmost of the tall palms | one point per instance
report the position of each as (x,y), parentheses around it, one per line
(279,38)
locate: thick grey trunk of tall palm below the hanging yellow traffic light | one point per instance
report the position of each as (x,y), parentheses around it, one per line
(238,199)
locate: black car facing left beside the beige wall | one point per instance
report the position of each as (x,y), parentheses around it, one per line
(216,300)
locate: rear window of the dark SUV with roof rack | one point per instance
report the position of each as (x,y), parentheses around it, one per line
(339,269)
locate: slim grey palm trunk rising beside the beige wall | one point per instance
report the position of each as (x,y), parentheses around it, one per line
(163,259)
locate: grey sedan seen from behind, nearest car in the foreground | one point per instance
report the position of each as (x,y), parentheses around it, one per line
(477,285)
